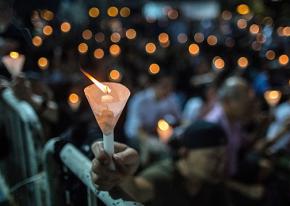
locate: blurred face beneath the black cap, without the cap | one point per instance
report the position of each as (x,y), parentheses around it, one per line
(206,164)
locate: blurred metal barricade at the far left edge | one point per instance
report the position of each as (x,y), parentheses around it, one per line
(21,166)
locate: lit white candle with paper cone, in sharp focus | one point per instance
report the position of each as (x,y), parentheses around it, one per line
(107,100)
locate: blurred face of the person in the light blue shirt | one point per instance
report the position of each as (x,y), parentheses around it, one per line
(164,87)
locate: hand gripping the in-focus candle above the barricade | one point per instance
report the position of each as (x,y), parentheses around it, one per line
(125,159)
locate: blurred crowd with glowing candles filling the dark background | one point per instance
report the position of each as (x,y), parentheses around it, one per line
(210,95)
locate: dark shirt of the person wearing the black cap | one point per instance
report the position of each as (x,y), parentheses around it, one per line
(170,188)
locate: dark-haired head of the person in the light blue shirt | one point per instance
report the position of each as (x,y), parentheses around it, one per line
(163,85)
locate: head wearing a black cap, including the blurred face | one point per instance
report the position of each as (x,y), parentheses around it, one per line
(202,152)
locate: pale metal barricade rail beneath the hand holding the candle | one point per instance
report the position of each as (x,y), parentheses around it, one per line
(80,166)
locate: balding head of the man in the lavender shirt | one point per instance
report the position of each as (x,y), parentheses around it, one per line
(236,97)
